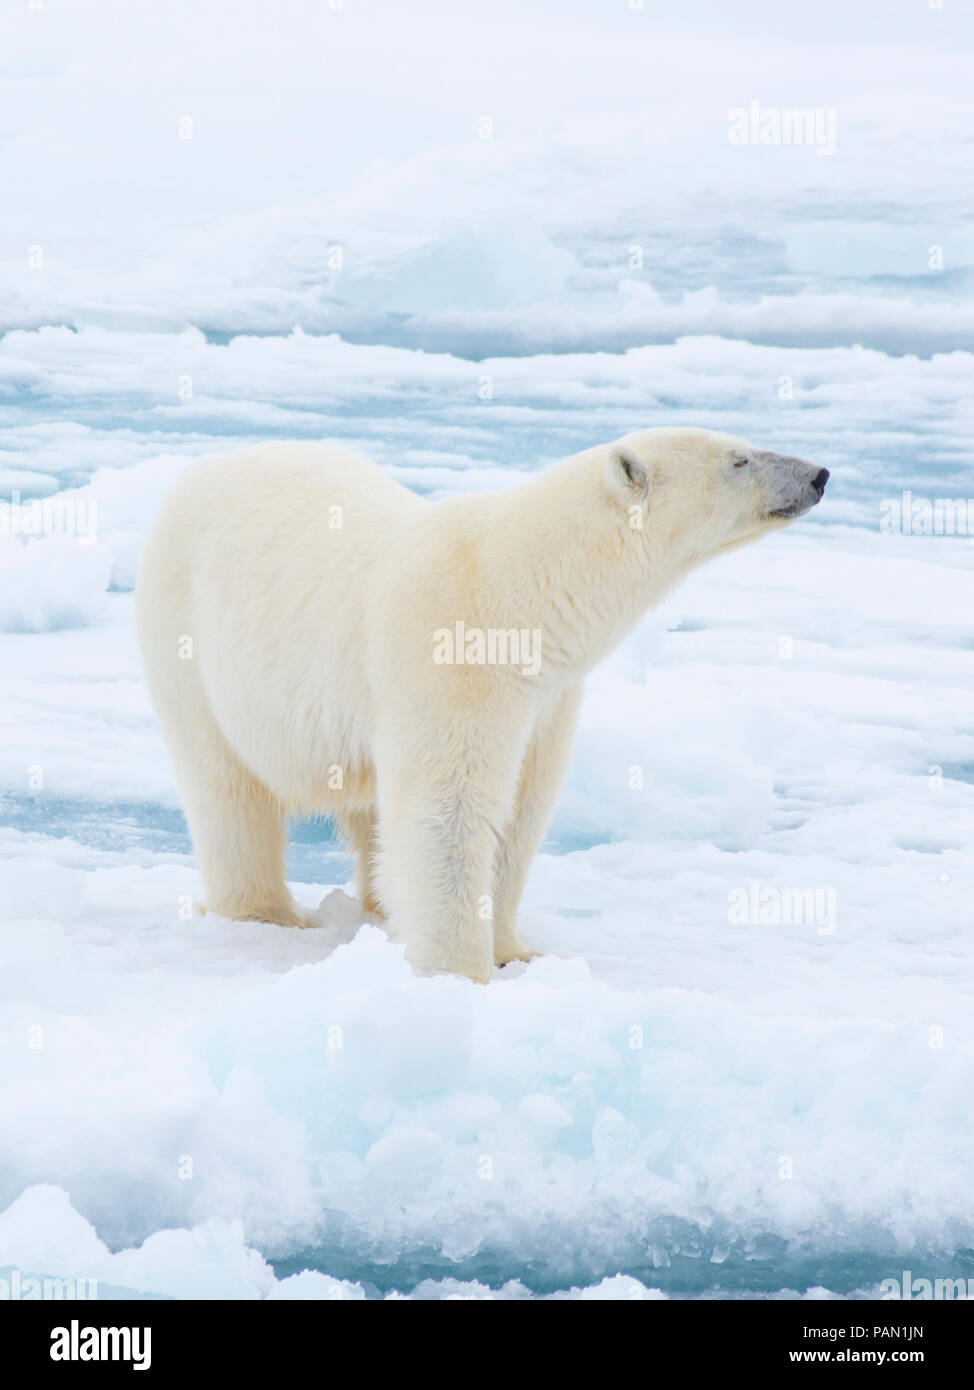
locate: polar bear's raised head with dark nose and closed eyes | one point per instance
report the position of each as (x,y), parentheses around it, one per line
(704,493)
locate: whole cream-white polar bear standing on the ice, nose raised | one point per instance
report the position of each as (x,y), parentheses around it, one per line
(319,639)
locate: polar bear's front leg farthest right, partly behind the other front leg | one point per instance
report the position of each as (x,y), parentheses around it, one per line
(538,790)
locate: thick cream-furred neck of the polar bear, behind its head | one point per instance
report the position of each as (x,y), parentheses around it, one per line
(570,561)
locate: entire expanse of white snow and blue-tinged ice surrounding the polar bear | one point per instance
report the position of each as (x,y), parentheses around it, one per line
(682,1097)
